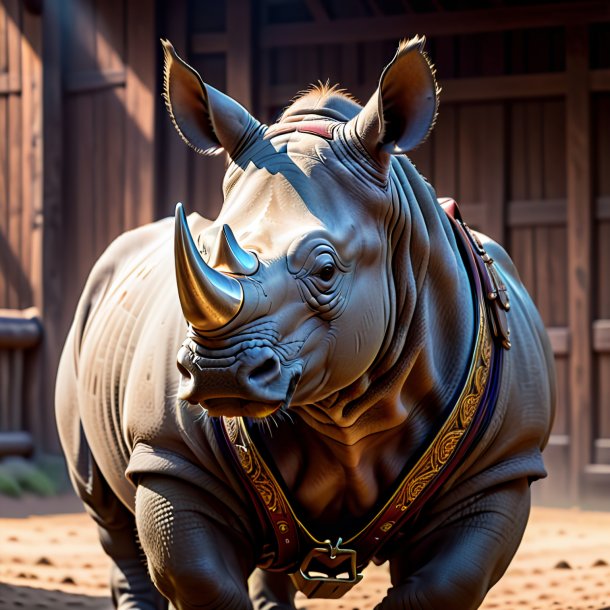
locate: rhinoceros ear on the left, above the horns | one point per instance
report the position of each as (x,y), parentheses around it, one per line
(206,119)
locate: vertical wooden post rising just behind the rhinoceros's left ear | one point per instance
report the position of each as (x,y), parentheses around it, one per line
(239,51)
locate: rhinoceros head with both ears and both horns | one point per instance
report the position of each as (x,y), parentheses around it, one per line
(289,293)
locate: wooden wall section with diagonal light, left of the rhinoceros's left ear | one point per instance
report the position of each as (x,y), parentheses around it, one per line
(100,76)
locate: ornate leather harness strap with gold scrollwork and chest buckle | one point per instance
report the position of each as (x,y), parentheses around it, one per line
(323,569)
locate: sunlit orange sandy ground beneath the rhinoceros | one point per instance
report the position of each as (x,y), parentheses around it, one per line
(50,558)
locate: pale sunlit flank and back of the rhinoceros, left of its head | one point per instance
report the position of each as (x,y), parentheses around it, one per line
(118,377)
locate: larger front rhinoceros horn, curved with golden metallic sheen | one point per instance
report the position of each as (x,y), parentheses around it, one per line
(210,299)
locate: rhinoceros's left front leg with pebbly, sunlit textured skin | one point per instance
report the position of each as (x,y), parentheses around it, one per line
(195,560)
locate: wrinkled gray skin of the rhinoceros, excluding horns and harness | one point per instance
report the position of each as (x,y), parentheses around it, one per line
(362,296)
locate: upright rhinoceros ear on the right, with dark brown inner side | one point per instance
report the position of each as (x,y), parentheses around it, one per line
(401,113)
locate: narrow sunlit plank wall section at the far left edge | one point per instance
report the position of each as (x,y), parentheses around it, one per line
(20,211)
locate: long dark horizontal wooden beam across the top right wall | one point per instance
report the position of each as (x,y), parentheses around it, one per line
(434,24)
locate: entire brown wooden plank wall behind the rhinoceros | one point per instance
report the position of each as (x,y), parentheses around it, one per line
(522,141)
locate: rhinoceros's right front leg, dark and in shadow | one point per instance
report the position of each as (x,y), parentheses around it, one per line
(464,556)
